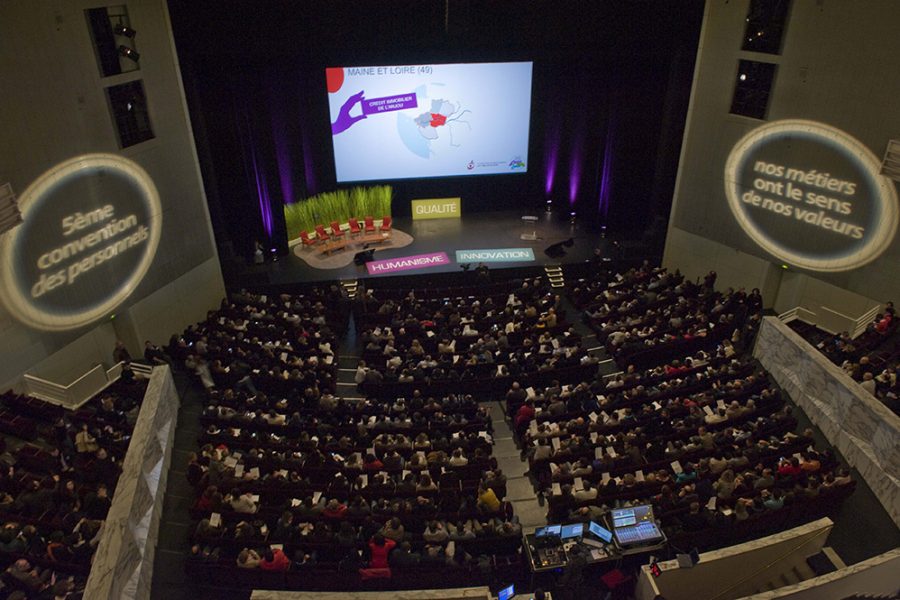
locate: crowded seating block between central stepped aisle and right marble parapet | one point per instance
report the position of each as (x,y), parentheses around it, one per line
(703,435)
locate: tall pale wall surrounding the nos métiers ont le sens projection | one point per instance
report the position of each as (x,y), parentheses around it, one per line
(838,66)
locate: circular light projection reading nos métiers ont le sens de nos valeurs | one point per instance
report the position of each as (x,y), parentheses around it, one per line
(811,195)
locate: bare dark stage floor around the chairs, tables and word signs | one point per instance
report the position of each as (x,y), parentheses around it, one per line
(479,231)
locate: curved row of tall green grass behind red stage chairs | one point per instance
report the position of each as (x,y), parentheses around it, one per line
(339,205)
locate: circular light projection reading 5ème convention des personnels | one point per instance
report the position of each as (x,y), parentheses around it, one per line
(91,228)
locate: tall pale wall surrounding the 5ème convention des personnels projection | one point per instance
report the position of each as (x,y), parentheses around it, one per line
(54,107)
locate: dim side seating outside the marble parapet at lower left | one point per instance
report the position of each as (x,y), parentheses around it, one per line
(57,478)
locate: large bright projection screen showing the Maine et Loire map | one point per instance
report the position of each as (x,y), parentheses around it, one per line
(410,121)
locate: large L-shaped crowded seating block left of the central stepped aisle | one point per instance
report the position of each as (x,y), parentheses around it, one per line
(287,467)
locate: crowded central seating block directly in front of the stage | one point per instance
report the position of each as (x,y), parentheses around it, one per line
(466,340)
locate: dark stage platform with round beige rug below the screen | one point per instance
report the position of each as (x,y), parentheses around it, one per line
(476,231)
